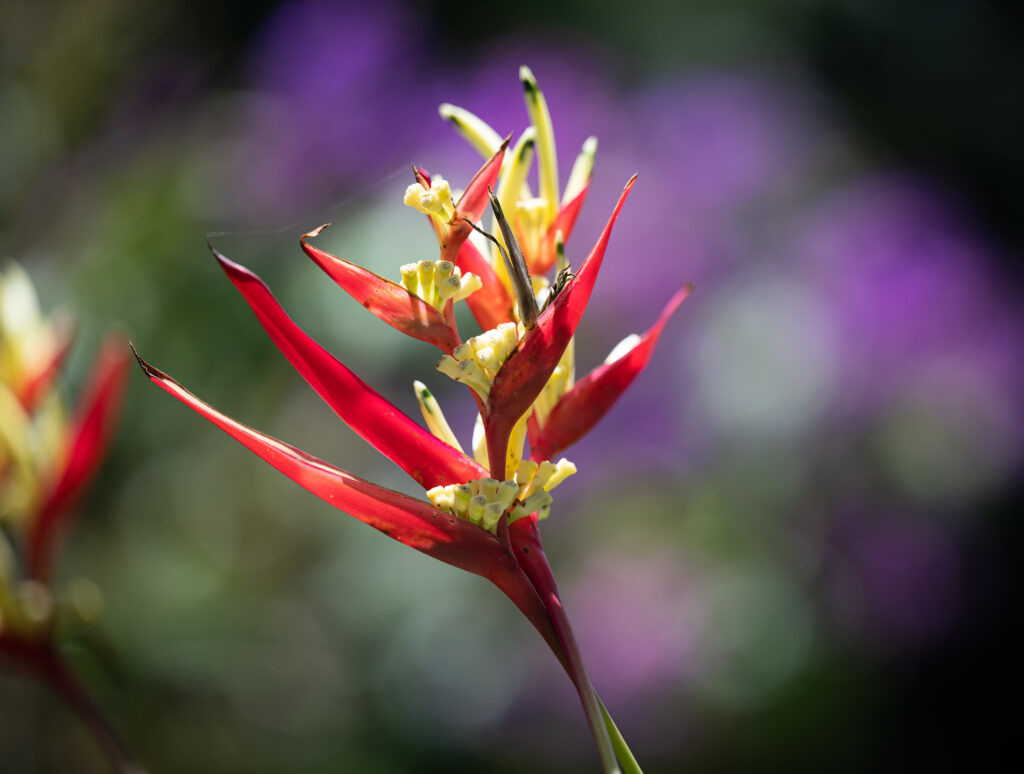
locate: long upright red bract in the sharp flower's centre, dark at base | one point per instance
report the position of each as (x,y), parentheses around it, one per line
(528,370)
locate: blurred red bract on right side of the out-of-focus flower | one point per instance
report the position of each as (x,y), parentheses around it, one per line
(96,422)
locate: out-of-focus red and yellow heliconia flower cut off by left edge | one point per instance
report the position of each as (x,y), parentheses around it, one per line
(46,463)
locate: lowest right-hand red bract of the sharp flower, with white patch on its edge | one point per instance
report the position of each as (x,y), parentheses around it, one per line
(592,397)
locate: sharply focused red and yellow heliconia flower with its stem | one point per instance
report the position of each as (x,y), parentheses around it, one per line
(482,509)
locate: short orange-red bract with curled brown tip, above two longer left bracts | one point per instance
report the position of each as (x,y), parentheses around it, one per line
(388,300)
